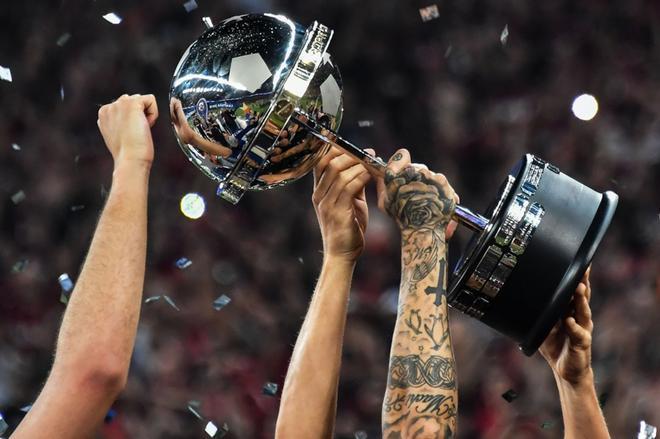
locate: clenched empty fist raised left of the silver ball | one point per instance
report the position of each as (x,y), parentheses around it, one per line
(126,128)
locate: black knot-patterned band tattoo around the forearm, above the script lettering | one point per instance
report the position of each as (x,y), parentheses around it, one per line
(411,371)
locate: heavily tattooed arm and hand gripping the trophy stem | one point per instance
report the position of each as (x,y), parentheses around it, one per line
(421,396)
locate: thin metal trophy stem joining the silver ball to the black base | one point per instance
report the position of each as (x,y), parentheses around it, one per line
(376,165)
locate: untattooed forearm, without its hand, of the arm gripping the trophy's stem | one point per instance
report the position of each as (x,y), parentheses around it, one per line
(309,396)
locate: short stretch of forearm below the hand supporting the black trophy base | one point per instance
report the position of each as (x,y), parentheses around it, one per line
(580,409)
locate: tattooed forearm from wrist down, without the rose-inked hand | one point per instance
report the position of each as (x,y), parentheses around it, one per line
(421,393)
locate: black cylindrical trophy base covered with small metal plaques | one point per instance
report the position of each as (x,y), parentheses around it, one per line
(518,275)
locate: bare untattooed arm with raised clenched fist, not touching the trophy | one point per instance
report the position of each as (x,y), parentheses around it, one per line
(98,329)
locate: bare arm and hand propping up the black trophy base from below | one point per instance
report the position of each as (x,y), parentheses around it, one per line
(568,352)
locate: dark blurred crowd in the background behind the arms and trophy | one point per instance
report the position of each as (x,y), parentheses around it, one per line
(463,98)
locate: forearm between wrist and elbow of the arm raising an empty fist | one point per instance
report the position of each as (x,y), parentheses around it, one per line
(99,325)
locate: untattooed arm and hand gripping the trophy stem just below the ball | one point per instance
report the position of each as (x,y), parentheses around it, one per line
(309,398)
